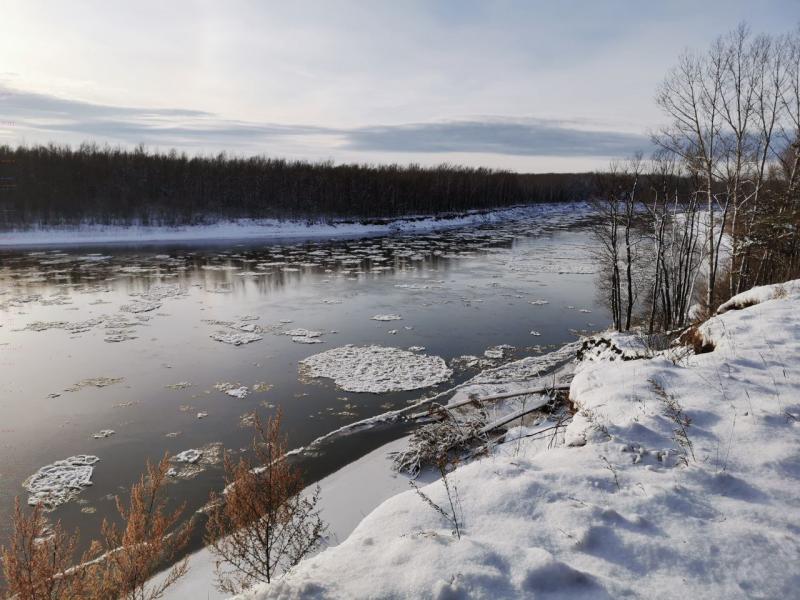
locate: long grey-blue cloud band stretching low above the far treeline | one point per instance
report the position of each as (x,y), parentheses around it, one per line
(61,119)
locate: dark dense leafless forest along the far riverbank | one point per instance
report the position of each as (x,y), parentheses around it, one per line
(58,184)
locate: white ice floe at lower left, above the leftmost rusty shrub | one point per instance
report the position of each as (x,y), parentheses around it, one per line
(60,482)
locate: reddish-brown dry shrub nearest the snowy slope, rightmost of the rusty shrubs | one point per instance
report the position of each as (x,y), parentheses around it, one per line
(263,524)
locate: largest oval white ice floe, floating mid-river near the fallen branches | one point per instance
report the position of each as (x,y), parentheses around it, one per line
(376,369)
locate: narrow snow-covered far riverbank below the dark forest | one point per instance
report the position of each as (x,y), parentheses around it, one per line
(267,229)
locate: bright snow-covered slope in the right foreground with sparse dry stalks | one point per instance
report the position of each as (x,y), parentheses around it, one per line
(679,477)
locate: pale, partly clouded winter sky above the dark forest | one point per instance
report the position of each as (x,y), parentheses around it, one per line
(528,86)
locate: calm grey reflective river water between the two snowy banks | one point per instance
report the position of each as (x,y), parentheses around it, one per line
(125,353)
